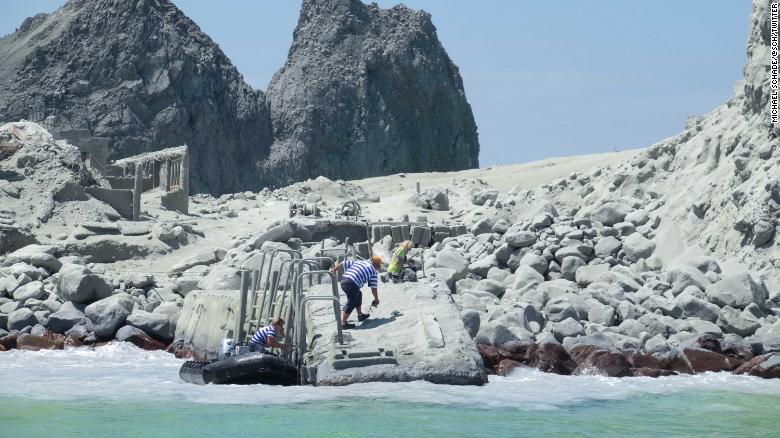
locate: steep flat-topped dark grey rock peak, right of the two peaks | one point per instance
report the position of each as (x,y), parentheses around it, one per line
(367,91)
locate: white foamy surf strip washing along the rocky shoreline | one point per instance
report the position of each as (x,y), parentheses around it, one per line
(122,372)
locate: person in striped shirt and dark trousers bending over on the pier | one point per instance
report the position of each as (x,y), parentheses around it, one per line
(356,274)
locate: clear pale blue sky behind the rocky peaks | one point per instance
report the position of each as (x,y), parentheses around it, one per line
(544,78)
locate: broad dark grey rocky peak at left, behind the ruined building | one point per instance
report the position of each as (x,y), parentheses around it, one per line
(143,75)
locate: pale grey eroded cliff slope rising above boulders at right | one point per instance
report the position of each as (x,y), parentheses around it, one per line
(715,186)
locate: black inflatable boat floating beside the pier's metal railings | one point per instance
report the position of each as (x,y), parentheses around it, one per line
(246,369)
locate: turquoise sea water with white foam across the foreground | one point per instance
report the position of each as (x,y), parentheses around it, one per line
(121,391)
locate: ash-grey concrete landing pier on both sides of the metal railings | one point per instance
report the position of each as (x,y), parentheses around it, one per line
(416,333)
